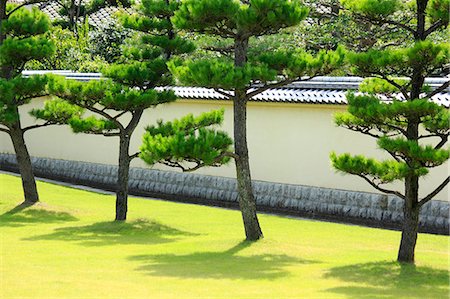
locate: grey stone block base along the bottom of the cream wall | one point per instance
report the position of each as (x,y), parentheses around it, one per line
(312,202)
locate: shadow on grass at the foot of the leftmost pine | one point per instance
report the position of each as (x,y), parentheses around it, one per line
(26,213)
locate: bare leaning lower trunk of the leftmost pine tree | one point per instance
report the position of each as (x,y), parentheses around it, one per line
(24,163)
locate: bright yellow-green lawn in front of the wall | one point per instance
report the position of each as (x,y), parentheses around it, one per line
(67,247)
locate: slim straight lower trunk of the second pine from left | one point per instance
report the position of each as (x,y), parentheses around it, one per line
(122,179)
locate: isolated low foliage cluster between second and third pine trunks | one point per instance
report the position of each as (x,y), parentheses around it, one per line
(191,139)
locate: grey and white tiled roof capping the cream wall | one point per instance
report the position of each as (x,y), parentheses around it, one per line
(319,90)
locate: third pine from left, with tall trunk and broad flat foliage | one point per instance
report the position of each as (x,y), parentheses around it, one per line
(240,73)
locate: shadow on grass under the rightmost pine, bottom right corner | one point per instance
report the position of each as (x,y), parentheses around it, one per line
(391,280)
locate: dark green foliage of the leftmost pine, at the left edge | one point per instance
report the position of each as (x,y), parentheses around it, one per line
(25,40)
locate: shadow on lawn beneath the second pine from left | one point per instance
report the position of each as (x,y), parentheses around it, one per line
(140,231)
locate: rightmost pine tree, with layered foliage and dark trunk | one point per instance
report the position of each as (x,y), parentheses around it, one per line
(407,125)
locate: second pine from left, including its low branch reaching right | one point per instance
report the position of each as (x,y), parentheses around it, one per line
(120,102)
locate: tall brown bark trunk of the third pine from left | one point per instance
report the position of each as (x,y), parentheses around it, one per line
(247,201)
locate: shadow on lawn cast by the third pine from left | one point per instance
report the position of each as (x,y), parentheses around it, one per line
(218,265)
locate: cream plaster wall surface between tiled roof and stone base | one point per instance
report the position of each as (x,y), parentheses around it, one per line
(288,143)
